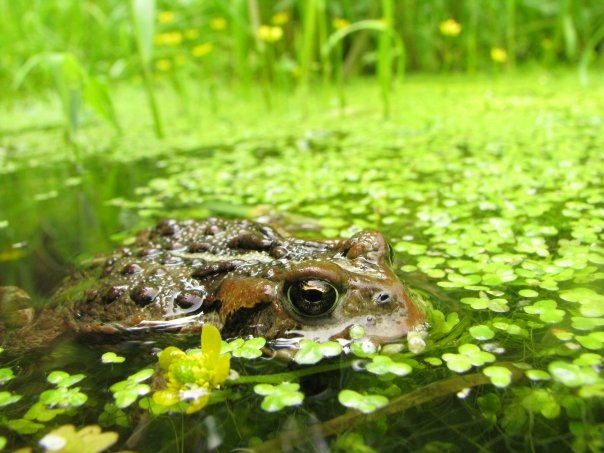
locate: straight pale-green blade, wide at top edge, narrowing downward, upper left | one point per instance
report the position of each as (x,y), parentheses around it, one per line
(142,14)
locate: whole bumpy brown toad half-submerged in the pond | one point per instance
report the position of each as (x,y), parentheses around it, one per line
(236,275)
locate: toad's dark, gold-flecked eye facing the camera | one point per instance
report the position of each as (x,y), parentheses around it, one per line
(312,297)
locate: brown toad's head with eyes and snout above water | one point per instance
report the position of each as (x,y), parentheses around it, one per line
(321,298)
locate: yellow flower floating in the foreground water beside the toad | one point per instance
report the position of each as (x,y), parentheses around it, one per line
(191,377)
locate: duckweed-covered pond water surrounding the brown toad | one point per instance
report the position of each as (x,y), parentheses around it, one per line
(490,192)
